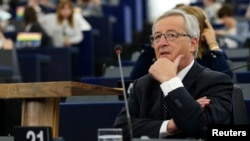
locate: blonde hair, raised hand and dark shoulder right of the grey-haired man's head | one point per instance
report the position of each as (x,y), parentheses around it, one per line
(209,53)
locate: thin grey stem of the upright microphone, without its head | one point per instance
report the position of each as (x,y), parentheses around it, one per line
(125,98)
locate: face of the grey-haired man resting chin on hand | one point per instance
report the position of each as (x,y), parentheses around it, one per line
(182,45)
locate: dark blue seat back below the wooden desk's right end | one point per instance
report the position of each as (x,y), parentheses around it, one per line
(80,121)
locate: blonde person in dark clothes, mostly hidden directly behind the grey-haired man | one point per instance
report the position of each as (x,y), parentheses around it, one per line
(209,53)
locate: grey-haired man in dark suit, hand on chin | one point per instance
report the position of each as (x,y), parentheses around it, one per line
(179,97)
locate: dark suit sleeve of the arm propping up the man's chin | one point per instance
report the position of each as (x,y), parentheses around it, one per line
(187,113)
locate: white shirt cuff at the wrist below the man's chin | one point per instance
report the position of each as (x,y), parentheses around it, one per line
(171,85)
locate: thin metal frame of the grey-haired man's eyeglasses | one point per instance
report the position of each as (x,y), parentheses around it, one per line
(177,34)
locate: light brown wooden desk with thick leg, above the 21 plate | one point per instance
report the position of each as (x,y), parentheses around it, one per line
(41,99)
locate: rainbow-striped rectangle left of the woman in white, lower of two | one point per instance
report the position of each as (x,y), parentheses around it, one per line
(28,39)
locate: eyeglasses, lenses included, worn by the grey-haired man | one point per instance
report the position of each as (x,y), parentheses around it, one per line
(168,36)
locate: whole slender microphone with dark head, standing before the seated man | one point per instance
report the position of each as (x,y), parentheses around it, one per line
(118,51)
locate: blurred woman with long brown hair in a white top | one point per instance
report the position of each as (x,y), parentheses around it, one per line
(65,28)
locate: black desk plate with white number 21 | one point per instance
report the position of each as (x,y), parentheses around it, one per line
(24,133)
